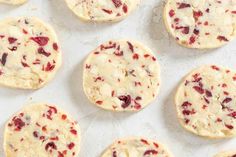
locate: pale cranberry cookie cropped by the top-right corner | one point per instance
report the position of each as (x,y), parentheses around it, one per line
(201,24)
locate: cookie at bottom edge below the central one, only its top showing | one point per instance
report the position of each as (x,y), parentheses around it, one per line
(136,147)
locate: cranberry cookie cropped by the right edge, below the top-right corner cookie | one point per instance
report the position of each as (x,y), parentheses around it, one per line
(206,102)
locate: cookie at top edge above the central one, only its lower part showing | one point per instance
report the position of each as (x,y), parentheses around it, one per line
(102,10)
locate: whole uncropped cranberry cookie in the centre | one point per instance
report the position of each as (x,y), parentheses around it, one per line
(121,76)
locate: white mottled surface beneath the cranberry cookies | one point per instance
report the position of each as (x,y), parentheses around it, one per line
(99,128)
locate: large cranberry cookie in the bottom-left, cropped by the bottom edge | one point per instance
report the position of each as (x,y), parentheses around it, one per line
(41,130)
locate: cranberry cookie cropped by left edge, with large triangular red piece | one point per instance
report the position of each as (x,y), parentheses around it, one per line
(29,53)
